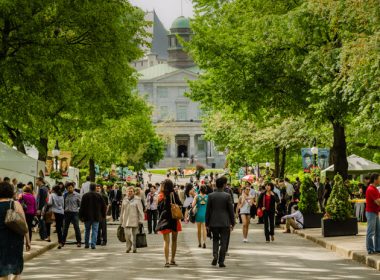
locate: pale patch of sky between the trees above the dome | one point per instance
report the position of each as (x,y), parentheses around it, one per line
(167,10)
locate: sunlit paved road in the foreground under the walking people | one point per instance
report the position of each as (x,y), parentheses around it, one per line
(290,257)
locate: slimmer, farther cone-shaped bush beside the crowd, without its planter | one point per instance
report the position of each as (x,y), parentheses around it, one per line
(308,202)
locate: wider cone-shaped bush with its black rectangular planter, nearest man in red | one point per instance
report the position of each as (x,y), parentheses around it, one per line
(339,218)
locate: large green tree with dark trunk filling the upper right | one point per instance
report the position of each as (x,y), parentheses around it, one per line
(292,57)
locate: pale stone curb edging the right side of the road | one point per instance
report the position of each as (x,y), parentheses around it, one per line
(358,256)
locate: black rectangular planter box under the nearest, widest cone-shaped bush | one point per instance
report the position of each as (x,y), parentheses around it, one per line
(339,228)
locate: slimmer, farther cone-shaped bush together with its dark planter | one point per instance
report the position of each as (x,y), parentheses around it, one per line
(308,204)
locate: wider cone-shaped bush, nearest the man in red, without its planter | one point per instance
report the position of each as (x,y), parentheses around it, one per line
(338,206)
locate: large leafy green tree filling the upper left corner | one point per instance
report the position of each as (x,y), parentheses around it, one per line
(65,66)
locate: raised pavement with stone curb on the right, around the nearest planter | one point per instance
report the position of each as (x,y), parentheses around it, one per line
(351,247)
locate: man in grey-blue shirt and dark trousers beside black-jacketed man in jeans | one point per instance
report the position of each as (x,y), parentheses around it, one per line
(72,201)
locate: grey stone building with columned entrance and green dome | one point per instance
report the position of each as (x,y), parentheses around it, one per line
(177,119)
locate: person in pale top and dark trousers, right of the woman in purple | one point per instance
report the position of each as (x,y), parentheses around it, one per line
(56,202)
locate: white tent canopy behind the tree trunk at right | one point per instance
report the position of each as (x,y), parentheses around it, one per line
(356,165)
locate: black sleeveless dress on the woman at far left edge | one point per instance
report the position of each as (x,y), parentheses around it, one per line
(11,246)
